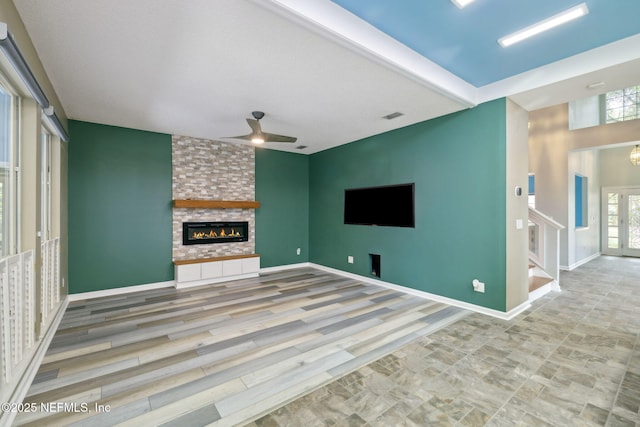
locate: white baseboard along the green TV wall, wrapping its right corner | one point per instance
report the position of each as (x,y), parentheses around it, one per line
(438,298)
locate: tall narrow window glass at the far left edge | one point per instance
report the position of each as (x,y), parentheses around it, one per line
(8,172)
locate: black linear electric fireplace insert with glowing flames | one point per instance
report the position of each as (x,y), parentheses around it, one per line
(196,233)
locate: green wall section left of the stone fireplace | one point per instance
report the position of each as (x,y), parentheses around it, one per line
(119,207)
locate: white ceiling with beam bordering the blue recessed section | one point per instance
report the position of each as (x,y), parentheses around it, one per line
(199,68)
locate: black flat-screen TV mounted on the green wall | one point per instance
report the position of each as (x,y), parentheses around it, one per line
(391,205)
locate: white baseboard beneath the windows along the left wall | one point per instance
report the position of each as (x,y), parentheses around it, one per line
(40,351)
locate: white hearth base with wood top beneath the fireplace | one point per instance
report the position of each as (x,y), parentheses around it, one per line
(214,270)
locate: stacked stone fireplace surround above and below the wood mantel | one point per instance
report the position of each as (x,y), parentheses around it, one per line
(212,170)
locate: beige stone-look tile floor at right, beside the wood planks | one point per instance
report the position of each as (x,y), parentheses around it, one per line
(572,359)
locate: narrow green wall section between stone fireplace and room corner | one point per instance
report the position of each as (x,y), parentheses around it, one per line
(282,221)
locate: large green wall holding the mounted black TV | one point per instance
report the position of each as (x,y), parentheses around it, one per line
(458,164)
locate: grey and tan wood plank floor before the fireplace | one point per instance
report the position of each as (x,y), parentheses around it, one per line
(222,354)
